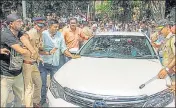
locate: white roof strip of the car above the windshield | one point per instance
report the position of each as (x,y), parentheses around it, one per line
(120,33)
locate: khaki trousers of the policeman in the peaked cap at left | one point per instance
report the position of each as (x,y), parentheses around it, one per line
(32,83)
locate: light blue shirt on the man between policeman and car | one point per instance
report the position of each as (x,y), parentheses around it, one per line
(57,41)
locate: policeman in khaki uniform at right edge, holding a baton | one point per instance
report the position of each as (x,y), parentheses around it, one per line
(168,51)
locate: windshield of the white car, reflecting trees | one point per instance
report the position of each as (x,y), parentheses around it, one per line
(133,47)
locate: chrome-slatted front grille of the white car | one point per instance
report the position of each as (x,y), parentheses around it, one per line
(83,99)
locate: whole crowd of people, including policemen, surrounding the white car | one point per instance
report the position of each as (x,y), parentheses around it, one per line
(32,48)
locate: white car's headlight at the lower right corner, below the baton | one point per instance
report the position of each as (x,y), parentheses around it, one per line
(160,99)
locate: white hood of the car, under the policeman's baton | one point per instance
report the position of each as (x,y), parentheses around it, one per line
(109,76)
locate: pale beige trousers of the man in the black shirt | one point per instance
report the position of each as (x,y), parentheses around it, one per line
(16,84)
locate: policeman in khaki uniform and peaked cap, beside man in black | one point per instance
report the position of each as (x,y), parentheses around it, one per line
(32,78)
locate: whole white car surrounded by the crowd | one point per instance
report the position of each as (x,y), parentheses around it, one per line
(108,74)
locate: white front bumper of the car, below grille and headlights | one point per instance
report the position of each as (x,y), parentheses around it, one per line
(53,102)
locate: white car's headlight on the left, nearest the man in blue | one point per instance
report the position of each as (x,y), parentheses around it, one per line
(56,89)
